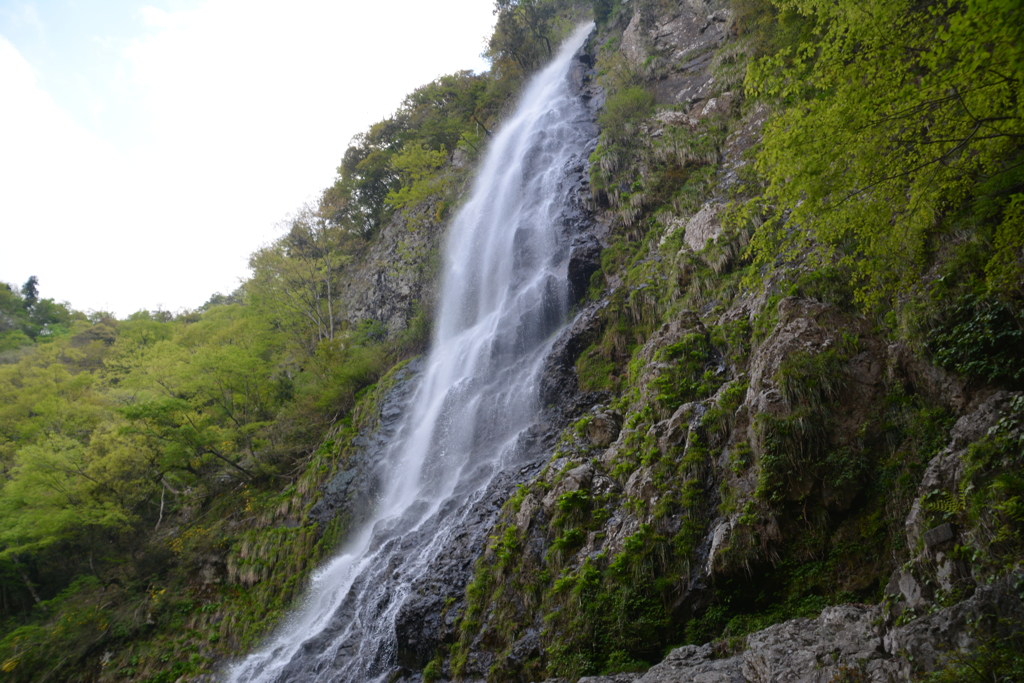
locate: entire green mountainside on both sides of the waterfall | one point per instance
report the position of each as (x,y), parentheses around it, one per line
(795,380)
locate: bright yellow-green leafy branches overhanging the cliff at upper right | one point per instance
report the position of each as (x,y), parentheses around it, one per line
(885,131)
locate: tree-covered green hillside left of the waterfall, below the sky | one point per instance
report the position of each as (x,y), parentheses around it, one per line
(158,471)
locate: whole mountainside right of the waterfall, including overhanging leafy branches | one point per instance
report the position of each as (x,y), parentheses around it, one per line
(814,275)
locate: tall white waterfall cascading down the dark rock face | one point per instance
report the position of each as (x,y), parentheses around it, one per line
(504,296)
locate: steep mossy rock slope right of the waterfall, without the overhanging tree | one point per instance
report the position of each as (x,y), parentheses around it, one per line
(752,443)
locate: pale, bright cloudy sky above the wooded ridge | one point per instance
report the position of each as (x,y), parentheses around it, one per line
(147,149)
